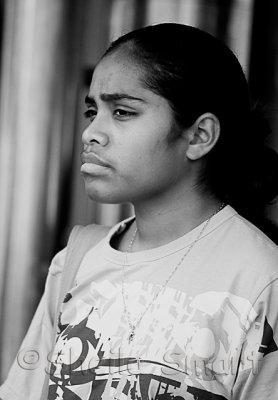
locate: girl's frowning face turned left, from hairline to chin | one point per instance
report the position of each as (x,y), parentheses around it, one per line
(127,156)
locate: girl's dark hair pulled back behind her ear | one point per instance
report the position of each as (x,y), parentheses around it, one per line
(197,73)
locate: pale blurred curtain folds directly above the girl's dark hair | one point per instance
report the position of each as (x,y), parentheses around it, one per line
(230,20)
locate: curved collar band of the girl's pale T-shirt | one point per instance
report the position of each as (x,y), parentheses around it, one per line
(119,257)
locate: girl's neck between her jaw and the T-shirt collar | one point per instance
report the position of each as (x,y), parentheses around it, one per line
(160,222)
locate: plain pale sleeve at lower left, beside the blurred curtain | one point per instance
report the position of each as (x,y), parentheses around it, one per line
(27,374)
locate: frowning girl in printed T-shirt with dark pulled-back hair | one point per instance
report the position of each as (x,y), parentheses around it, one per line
(179,301)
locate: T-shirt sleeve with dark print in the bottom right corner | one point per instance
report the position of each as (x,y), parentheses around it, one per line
(258,368)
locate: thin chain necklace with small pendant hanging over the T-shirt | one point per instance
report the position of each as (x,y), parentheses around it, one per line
(134,325)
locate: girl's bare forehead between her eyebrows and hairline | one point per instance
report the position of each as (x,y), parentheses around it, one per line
(116,74)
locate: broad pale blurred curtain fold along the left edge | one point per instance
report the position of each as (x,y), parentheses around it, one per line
(31,120)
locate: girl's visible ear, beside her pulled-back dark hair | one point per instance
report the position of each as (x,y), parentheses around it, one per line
(202,136)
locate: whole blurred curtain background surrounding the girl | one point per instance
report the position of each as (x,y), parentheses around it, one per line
(48,49)
